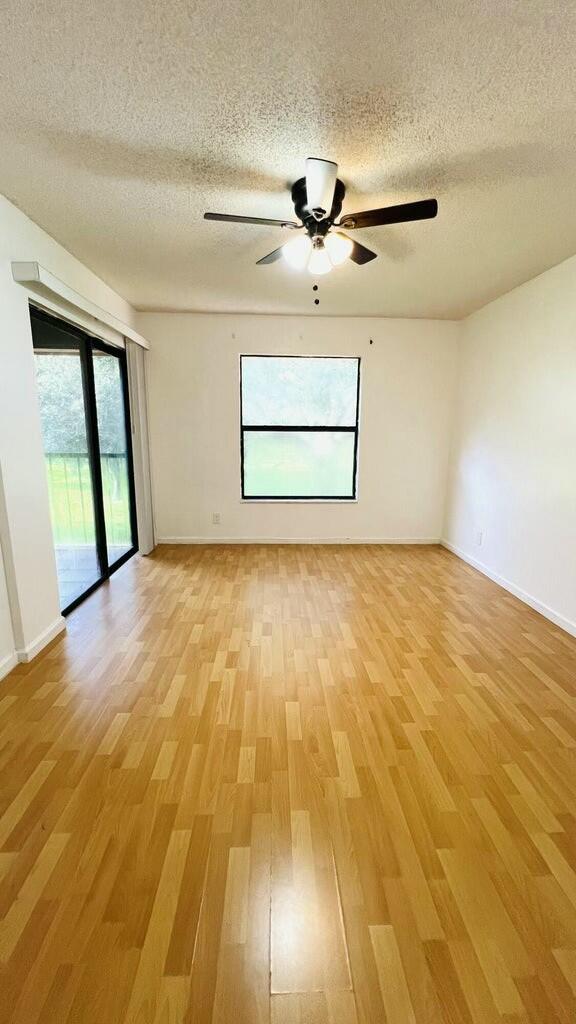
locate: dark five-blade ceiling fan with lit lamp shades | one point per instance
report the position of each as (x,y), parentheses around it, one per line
(318,202)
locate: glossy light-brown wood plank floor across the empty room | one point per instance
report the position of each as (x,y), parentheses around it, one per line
(299,785)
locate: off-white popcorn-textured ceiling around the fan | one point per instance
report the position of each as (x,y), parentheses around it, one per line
(122,122)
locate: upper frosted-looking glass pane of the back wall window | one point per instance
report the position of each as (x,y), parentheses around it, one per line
(287,392)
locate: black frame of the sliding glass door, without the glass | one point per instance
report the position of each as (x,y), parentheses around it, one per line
(87,344)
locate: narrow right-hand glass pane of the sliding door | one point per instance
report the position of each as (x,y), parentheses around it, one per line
(114,455)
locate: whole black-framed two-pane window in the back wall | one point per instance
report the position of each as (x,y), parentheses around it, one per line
(300,426)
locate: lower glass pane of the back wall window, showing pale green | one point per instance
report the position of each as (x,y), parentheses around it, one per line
(299,464)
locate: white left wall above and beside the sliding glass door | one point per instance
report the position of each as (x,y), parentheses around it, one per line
(25,523)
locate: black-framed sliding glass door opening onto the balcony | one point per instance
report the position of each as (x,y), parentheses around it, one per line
(85,408)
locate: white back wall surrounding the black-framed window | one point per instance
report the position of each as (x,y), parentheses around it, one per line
(407,392)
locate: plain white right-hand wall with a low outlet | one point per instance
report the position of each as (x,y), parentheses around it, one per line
(514,463)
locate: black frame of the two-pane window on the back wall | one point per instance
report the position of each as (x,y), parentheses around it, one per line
(246,429)
